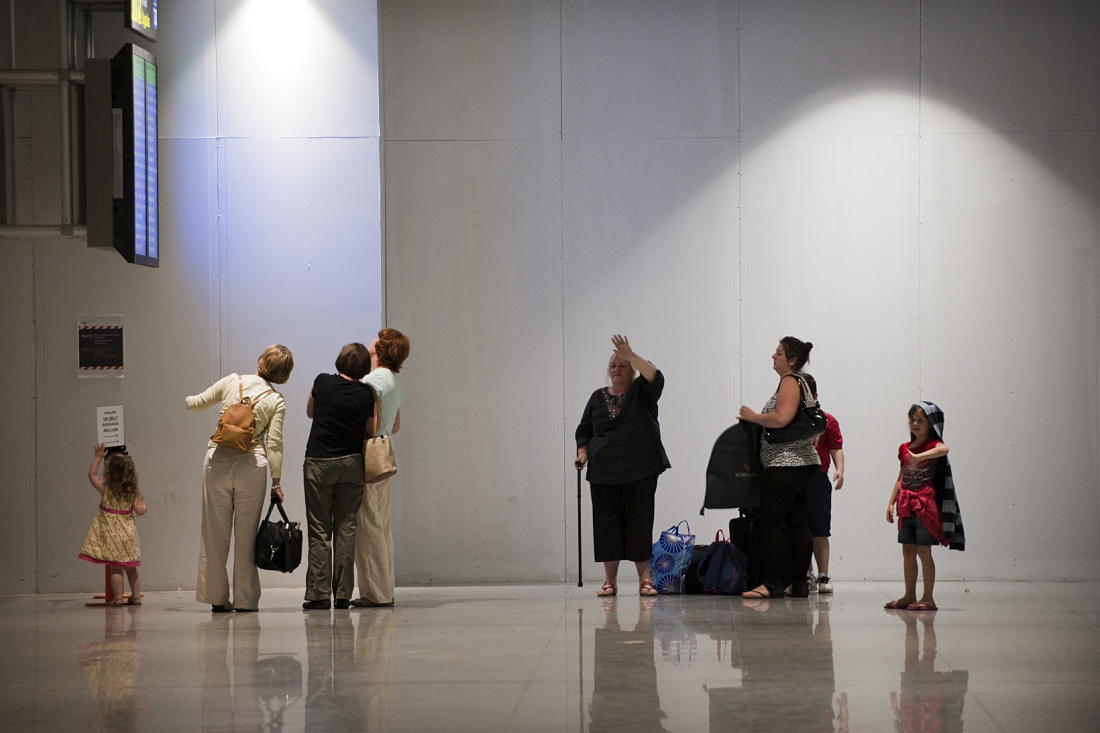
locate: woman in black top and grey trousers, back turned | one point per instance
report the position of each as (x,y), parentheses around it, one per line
(340,407)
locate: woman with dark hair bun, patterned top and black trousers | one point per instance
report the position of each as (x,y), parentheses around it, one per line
(787,545)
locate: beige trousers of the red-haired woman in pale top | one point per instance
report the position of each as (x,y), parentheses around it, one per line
(375,545)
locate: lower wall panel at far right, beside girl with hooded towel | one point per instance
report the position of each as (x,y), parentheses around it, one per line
(1009,327)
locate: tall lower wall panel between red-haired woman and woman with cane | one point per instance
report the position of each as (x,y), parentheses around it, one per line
(475,279)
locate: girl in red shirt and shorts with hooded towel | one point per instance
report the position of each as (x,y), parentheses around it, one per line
(920,523)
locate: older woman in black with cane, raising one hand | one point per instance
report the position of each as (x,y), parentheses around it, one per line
(621,442)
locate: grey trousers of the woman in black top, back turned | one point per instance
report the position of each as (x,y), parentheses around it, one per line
(334,489)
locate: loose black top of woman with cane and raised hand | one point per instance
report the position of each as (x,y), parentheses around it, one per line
(623,434)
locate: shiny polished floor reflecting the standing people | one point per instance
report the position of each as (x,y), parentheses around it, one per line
(1021,657)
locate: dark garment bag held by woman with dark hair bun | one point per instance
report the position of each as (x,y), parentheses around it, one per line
(735,474)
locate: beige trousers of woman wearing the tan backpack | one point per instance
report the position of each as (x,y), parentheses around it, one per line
(235,487)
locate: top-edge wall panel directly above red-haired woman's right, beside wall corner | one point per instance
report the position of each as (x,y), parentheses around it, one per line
(479,70)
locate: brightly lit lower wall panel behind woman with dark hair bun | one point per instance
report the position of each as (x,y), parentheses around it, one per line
(830,256)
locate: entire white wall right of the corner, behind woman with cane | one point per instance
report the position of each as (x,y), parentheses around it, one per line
(911,187)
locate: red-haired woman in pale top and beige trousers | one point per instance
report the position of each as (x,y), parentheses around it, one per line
(375,540)
